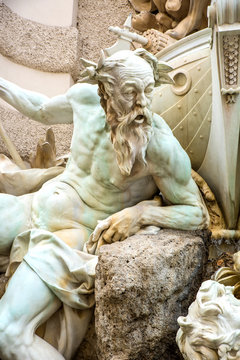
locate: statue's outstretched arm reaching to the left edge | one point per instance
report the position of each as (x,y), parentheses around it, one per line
(37,106)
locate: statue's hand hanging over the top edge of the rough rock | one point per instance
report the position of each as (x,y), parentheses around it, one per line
(119,226)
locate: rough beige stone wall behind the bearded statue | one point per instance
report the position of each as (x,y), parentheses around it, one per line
(51,54)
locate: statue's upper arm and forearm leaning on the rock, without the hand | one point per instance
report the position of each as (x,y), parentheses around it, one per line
(170,167)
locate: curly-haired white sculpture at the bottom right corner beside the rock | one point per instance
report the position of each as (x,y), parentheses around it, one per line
(212,327)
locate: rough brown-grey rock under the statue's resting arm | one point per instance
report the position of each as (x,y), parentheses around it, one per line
(142,285)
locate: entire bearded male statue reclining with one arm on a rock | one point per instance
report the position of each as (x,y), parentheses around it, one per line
(121,156)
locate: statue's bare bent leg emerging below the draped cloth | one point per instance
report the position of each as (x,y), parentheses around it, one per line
(27,303)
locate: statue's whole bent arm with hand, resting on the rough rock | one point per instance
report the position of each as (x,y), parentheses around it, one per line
(185,209)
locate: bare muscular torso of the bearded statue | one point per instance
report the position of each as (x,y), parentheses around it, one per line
(92,169)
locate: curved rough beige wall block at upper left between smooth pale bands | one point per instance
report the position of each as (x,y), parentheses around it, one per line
(47,48)
